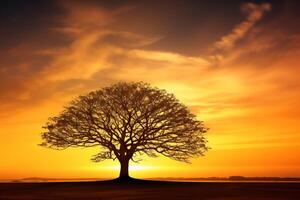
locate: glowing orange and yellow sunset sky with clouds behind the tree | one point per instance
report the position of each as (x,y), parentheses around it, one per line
(235,64)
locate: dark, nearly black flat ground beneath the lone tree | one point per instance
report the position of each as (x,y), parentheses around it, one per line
(138,189)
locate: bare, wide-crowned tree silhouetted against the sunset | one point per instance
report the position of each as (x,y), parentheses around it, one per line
(127,120)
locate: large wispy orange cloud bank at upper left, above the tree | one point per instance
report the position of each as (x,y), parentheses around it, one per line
(90,56)
